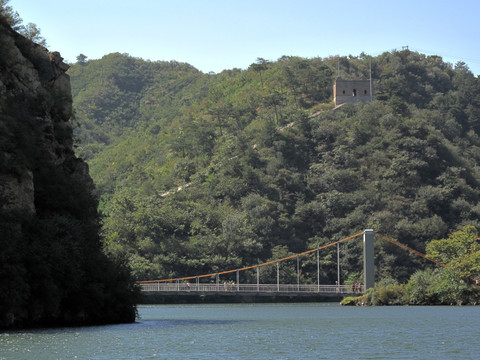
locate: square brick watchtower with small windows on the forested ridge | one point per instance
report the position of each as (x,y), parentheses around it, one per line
(349,91)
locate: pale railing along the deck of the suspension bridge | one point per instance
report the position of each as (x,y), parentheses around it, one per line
(249,288)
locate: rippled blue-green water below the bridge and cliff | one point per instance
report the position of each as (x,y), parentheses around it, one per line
(263,331)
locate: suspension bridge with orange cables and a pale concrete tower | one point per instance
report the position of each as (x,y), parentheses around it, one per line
(213,285)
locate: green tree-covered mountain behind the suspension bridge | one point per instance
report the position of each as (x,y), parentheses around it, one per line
(198,173)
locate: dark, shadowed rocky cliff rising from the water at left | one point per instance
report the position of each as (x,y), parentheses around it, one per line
(52,271)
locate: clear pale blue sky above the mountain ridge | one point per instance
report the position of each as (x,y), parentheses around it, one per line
(213,35)
